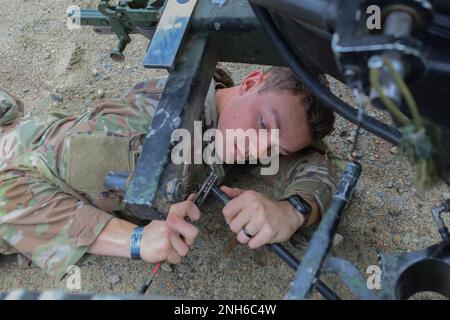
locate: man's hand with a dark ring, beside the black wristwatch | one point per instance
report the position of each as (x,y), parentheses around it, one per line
(265,220)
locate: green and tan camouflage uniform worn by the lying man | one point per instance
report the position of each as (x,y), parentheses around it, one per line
(52,200)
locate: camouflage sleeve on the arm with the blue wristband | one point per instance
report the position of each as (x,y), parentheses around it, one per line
(49,227)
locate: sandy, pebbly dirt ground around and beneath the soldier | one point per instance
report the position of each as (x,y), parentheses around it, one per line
(53,68)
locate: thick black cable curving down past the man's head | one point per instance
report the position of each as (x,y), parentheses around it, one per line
(371,124)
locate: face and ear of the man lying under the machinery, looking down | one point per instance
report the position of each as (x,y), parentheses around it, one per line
(247,109)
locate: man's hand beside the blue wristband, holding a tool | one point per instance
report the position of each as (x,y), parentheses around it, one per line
(170,239)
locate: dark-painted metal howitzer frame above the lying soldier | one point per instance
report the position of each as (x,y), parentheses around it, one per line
(409,52)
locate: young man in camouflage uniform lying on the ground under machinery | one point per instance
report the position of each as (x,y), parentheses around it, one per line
(53,204)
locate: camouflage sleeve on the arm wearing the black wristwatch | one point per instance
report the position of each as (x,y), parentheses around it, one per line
(307,173)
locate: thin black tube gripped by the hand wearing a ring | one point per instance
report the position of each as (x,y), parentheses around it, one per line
(282,252)
